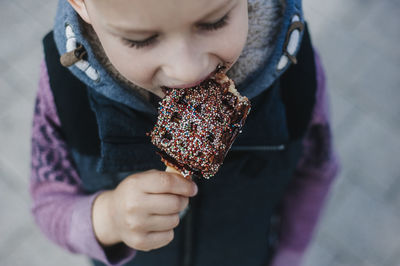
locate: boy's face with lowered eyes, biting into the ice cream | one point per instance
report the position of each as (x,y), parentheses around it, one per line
(173,43)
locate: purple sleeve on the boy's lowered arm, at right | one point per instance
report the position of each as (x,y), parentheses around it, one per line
(306,194)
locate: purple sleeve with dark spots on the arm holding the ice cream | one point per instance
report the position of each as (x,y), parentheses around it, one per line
(60,207)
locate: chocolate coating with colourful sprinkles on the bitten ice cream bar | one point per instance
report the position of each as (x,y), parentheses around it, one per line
(197,126)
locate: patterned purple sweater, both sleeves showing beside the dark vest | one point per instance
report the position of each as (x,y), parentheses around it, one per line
(63,211)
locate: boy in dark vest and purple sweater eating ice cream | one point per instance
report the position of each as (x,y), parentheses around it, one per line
(98,186)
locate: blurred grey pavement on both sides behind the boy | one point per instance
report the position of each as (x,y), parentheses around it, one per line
(358,41)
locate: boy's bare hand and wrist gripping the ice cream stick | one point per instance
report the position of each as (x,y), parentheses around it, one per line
(142,210)
